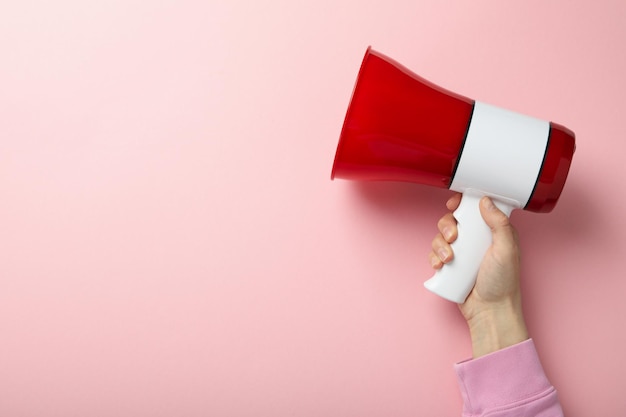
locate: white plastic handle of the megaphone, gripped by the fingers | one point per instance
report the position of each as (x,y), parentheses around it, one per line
(455,280)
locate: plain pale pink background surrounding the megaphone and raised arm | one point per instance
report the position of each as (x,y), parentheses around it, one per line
(171,243)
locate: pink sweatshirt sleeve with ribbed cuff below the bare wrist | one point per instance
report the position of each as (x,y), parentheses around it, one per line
(509,382)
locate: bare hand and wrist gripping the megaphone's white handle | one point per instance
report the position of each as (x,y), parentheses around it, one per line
(493,310)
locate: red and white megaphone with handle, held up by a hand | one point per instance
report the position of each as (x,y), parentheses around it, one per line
(401,127)
